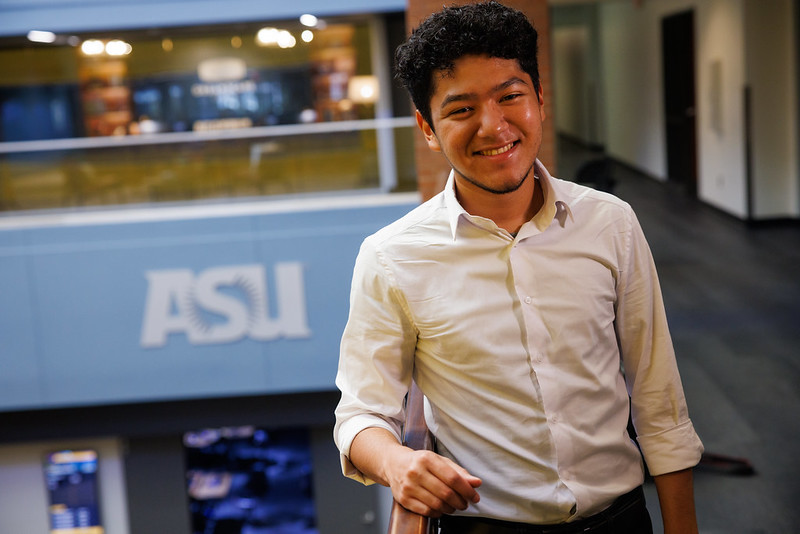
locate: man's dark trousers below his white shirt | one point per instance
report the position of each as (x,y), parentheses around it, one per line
(628,515)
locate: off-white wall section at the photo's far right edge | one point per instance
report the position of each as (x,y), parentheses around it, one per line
(771,75)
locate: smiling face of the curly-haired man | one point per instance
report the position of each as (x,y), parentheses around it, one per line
(487,117)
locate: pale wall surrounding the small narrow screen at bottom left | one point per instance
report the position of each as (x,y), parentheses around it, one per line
(23,505)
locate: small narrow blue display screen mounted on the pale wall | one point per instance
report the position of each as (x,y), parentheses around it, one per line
(71,477)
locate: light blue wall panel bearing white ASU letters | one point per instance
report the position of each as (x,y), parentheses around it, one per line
(203,307)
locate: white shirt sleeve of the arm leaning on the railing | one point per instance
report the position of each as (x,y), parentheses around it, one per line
(376,356)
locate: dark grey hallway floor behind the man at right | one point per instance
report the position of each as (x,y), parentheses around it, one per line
(732,293)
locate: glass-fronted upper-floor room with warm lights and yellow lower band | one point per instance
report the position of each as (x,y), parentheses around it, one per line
(202,113)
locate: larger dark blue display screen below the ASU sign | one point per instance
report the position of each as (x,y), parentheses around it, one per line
(250,480)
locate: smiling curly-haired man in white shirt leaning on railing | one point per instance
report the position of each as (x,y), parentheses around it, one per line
(514,300)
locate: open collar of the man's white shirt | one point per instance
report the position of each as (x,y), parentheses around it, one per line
(554,207)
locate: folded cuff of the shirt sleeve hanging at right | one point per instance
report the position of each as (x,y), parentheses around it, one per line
(672,450)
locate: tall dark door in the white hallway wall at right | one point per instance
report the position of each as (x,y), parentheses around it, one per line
(677,38)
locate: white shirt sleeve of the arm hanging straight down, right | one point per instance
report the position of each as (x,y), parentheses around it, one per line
(658,407)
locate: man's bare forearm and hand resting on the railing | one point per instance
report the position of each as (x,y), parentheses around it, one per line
(421,481)
